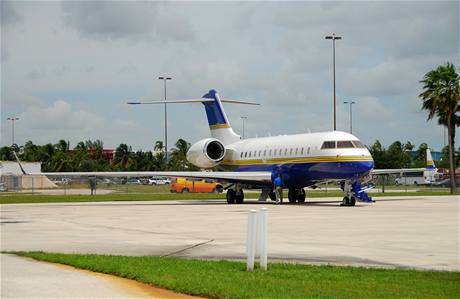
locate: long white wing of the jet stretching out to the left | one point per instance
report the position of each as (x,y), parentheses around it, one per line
(253,177)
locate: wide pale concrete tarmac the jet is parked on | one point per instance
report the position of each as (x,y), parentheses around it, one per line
(409,232)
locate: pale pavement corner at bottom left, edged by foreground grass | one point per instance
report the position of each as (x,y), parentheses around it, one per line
(27,278)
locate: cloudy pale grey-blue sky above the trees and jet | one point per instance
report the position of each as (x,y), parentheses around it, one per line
(68,68)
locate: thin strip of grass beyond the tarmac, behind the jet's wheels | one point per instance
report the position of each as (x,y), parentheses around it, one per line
(14,198)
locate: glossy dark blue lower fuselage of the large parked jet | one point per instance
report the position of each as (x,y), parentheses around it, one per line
(306,174)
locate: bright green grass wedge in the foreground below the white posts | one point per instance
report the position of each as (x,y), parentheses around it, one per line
(225,279)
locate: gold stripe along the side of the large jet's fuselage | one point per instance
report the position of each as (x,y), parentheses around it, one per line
(299,160)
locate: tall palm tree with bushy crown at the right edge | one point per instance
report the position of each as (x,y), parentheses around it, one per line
(441,97)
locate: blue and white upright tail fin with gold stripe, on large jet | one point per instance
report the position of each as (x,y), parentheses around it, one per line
(217,120)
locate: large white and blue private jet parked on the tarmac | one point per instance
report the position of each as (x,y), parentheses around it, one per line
(301,160)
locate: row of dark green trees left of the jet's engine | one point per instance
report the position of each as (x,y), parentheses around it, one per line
(89,156)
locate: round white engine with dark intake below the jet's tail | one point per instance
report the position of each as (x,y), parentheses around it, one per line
(206,153)
